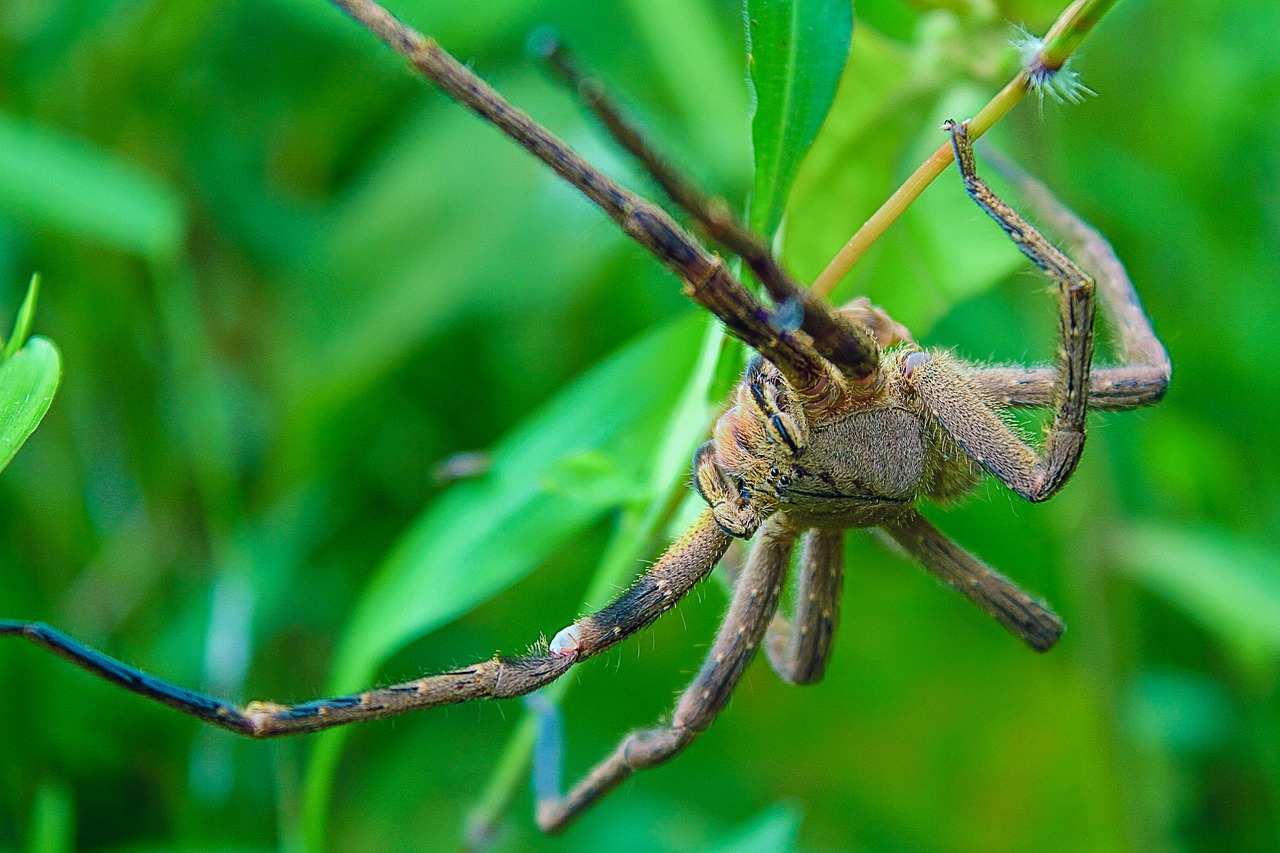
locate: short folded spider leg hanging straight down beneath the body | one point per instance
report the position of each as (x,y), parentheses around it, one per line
(799,649)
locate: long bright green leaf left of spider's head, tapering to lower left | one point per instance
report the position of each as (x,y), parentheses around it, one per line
(483,536)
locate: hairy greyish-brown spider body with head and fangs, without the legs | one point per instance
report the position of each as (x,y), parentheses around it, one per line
(861,463)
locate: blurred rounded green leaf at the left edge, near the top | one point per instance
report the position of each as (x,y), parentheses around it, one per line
(53,181)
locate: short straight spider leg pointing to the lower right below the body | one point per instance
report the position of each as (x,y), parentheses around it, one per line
(1016,609)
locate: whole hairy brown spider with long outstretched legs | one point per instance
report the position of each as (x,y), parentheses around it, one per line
(840,422)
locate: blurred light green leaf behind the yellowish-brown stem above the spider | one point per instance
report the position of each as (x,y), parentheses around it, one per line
(885,122)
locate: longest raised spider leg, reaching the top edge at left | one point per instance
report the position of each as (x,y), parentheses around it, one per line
(707,280)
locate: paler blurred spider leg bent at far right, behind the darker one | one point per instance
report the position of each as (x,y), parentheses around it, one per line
(1142,376)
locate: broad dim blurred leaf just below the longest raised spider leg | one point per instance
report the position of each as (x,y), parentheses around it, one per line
(390,272)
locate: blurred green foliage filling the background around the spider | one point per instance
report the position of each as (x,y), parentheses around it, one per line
(289,280)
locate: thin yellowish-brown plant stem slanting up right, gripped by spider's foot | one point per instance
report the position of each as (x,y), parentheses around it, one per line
(1067,34)
